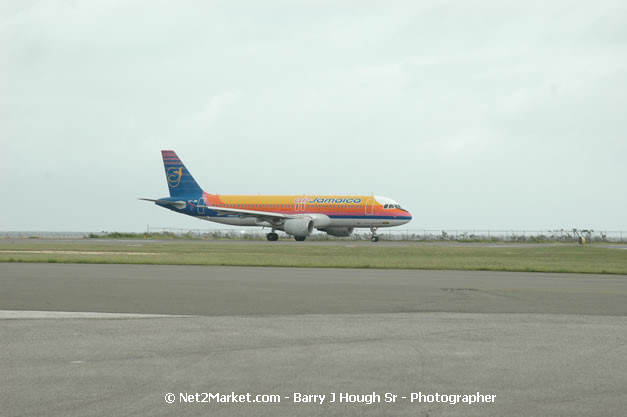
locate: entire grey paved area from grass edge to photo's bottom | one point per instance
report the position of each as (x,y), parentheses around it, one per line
(544,344)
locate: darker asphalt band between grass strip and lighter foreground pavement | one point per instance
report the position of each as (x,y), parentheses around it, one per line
(223,291)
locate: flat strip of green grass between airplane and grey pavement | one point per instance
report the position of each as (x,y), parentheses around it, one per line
(344,254)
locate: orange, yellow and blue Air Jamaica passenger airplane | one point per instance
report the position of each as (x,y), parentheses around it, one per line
(296,215)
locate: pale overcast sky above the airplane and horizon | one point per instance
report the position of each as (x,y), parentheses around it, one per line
(471,114)
